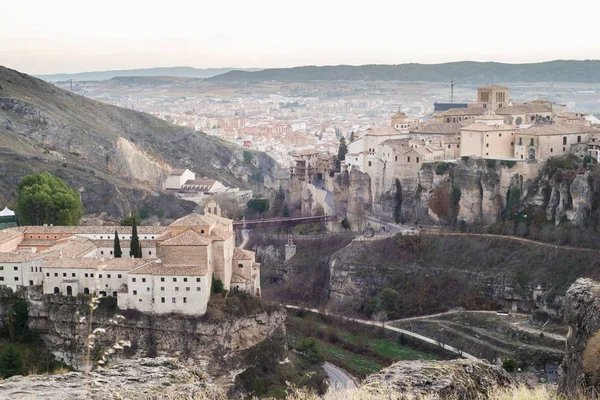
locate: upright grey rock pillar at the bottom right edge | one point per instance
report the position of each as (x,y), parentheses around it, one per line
(582,313)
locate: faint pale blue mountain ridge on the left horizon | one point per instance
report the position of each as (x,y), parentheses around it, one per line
(188,72)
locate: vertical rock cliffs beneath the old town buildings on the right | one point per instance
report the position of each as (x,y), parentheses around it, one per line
(480,192)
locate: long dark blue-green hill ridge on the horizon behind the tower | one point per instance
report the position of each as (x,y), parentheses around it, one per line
(464,71)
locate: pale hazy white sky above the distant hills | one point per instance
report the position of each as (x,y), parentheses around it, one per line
(53,36)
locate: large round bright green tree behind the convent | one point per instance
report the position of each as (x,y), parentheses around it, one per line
(46,199)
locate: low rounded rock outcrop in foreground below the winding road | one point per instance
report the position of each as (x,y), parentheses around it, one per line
(461,379)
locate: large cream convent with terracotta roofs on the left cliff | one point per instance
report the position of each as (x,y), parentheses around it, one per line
(174,275)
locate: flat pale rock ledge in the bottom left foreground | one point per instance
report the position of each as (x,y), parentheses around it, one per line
(146,378)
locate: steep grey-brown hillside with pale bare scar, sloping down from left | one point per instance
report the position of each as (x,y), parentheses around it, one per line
(115,157)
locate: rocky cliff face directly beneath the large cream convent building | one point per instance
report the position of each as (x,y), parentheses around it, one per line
(217,346)
